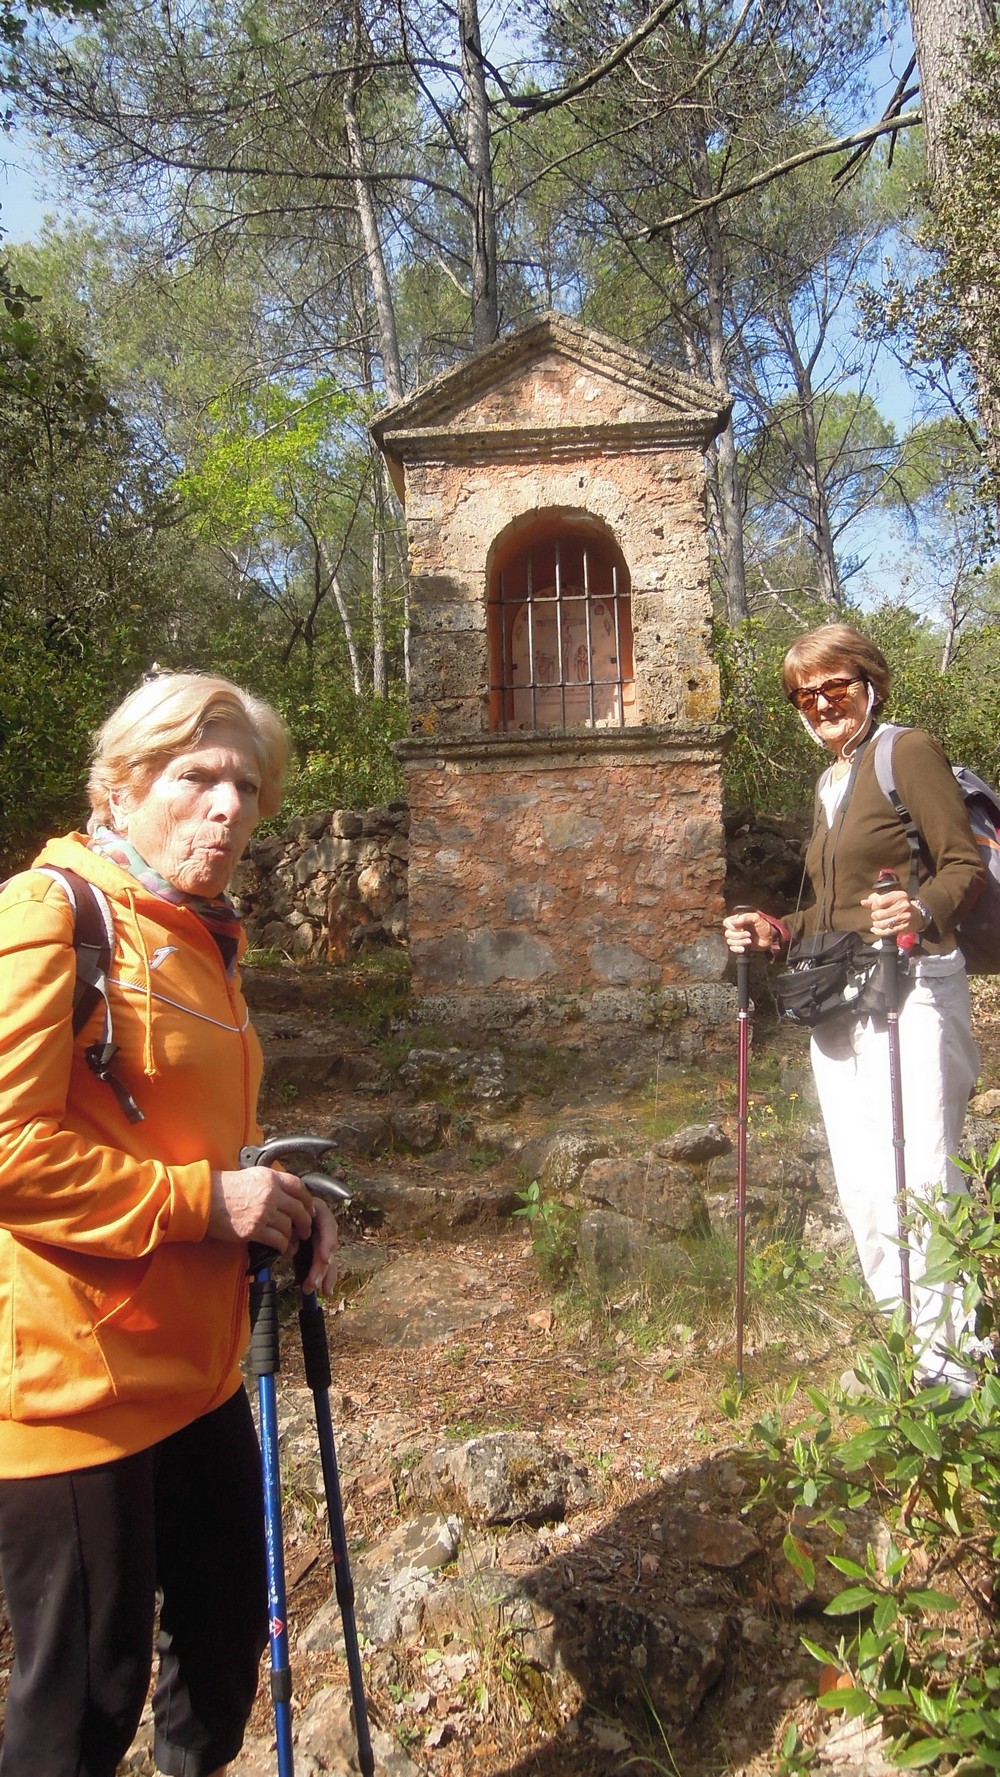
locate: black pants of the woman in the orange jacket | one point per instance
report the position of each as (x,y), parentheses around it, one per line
(83,1558)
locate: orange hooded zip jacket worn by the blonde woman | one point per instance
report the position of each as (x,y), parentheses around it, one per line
(120,1321)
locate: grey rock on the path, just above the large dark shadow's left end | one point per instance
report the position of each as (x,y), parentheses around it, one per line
(502,1479)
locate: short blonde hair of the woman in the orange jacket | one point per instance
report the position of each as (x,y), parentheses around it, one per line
(170,715)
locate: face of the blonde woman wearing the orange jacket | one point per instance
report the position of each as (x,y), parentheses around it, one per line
(194,818)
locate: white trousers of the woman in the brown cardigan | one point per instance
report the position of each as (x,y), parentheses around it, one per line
(939,1071)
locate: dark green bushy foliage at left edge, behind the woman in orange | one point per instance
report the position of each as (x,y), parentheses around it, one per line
(86,580)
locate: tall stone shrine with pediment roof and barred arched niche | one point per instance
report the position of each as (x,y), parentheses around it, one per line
(564,765)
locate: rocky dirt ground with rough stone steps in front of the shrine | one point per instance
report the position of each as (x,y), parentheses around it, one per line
(559,1559)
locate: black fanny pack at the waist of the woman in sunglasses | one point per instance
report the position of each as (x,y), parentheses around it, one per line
(836,973)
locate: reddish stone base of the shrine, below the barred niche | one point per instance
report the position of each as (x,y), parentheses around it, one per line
(571,872)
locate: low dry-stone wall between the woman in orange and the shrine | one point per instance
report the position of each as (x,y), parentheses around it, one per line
(328,884)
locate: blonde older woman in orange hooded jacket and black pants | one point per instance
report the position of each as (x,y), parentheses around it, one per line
(129,1460)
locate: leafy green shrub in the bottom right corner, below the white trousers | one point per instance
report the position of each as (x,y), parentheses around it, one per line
(930,1463)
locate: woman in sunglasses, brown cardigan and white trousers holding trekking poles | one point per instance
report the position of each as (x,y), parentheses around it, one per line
(839,681)
